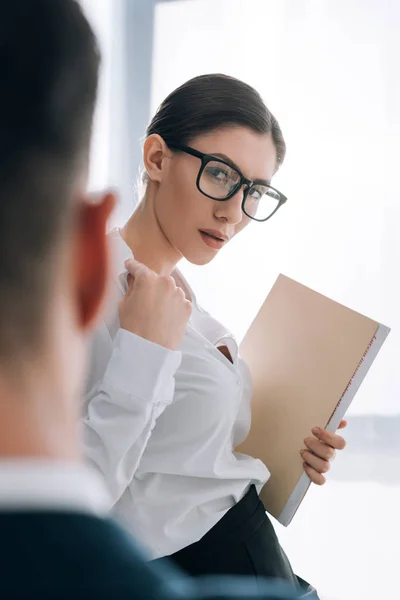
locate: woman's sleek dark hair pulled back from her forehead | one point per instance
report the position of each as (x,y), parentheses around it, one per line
(207,102)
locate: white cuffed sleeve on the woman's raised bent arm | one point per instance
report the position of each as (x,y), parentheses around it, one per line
(131,382)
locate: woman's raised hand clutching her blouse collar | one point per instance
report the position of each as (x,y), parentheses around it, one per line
(154,307)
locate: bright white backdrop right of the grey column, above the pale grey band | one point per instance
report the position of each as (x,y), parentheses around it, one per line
(328,71)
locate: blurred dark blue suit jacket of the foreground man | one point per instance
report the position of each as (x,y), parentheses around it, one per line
(60,555)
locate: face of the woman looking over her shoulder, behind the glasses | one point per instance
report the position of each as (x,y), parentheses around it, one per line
(189,219)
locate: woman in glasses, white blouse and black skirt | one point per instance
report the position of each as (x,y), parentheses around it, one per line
(168,395)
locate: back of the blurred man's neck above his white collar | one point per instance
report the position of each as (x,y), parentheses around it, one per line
(35,422)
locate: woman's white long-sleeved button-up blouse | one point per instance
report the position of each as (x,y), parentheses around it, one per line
(161,425)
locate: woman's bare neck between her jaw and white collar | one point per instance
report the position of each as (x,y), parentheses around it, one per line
(149,244)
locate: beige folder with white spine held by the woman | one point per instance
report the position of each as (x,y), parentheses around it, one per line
(308,356)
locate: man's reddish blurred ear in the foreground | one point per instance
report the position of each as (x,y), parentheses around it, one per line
(92,259)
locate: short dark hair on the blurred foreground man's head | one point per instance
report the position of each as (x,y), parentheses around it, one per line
(49,61)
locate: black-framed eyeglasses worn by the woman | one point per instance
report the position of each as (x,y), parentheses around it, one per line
(220,180)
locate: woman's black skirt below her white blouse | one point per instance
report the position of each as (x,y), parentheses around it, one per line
(243,542)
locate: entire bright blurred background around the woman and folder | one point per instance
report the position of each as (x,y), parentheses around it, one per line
(329,71)
